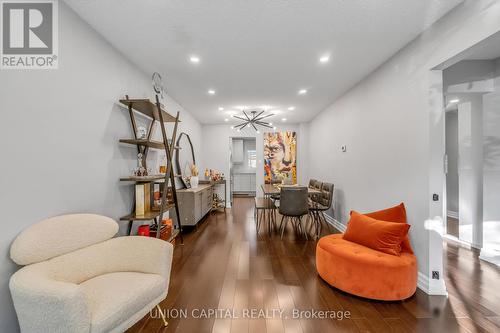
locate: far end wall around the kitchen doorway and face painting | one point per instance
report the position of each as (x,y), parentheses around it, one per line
(216,154)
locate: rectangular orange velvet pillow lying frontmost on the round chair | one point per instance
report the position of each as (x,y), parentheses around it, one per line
(382,236)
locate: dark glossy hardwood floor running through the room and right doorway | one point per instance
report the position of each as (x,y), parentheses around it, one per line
(224,264)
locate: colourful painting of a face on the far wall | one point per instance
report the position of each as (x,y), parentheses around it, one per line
(280,152)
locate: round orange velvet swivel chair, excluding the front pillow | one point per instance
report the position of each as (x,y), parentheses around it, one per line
(365,272)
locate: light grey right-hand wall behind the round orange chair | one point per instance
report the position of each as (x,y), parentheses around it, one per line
(393,125)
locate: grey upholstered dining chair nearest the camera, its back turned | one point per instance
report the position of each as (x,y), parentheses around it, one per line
(293,205)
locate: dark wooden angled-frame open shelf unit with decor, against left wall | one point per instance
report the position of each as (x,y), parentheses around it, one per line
(151,205)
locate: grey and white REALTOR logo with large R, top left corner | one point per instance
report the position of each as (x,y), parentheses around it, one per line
(29,38)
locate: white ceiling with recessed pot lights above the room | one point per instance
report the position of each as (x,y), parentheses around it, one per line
(259,52)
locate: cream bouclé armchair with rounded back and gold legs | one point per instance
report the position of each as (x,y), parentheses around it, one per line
(78,278)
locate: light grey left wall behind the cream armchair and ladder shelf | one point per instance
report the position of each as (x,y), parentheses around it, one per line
(59,139)
